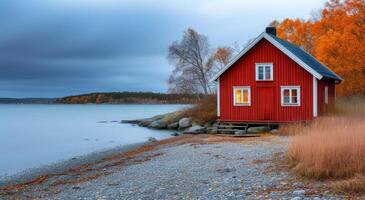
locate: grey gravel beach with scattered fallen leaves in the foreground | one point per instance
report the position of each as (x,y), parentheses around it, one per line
(212,167)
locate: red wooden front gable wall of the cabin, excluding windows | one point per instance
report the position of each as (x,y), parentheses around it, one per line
(286,73)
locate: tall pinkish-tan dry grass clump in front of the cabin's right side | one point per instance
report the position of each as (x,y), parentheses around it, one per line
(333,146)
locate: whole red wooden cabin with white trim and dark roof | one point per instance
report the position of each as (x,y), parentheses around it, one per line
(273,81)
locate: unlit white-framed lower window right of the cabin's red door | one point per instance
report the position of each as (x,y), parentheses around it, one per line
(290,96)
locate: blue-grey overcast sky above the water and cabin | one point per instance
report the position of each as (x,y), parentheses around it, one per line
(53,48)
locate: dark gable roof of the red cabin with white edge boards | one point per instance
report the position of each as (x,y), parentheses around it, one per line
(305,60)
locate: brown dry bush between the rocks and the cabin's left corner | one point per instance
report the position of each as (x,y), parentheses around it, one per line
(203,112)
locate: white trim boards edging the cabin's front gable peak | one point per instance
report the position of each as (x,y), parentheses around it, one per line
(277,45)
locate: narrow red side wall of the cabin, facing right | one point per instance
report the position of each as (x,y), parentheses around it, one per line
(322,107)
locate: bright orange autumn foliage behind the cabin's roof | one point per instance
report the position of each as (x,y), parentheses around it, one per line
(337,39)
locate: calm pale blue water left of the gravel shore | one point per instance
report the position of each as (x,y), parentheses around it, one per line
(36,135)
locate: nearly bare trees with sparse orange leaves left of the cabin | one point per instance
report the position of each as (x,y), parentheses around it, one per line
(195,63)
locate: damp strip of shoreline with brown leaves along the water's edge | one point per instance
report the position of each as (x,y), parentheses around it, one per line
(39,175)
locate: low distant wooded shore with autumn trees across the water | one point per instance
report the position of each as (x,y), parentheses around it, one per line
(130,98)
